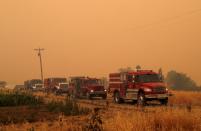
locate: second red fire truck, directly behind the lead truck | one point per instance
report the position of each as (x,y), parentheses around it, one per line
(80,87)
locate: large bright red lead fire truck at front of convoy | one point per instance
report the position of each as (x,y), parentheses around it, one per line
(140,86)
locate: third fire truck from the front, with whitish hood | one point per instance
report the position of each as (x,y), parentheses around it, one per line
(56,85)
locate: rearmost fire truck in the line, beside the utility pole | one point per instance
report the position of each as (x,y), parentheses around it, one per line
(34,84)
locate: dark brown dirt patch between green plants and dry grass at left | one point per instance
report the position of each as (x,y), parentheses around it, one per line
(23,114)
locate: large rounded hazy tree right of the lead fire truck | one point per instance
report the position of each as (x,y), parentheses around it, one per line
(180,81)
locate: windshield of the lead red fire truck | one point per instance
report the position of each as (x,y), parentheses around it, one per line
(146,78)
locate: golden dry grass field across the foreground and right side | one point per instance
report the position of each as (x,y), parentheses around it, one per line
(182,114)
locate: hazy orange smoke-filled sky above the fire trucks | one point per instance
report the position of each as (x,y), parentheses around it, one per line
(97,37)
